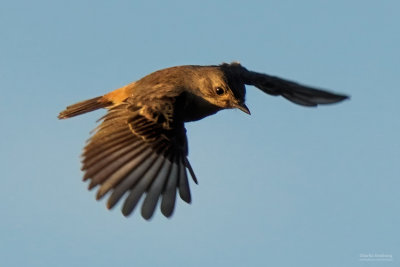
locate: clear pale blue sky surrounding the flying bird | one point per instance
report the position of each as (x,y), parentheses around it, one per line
(286,186)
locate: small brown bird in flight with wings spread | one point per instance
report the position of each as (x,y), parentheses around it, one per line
(140,147)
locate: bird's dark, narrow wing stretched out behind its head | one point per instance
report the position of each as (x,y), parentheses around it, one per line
(297,93)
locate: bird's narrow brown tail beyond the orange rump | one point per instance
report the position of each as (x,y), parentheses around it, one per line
(84,107)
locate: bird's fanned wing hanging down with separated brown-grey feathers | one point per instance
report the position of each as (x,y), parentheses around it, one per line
(139,149)
